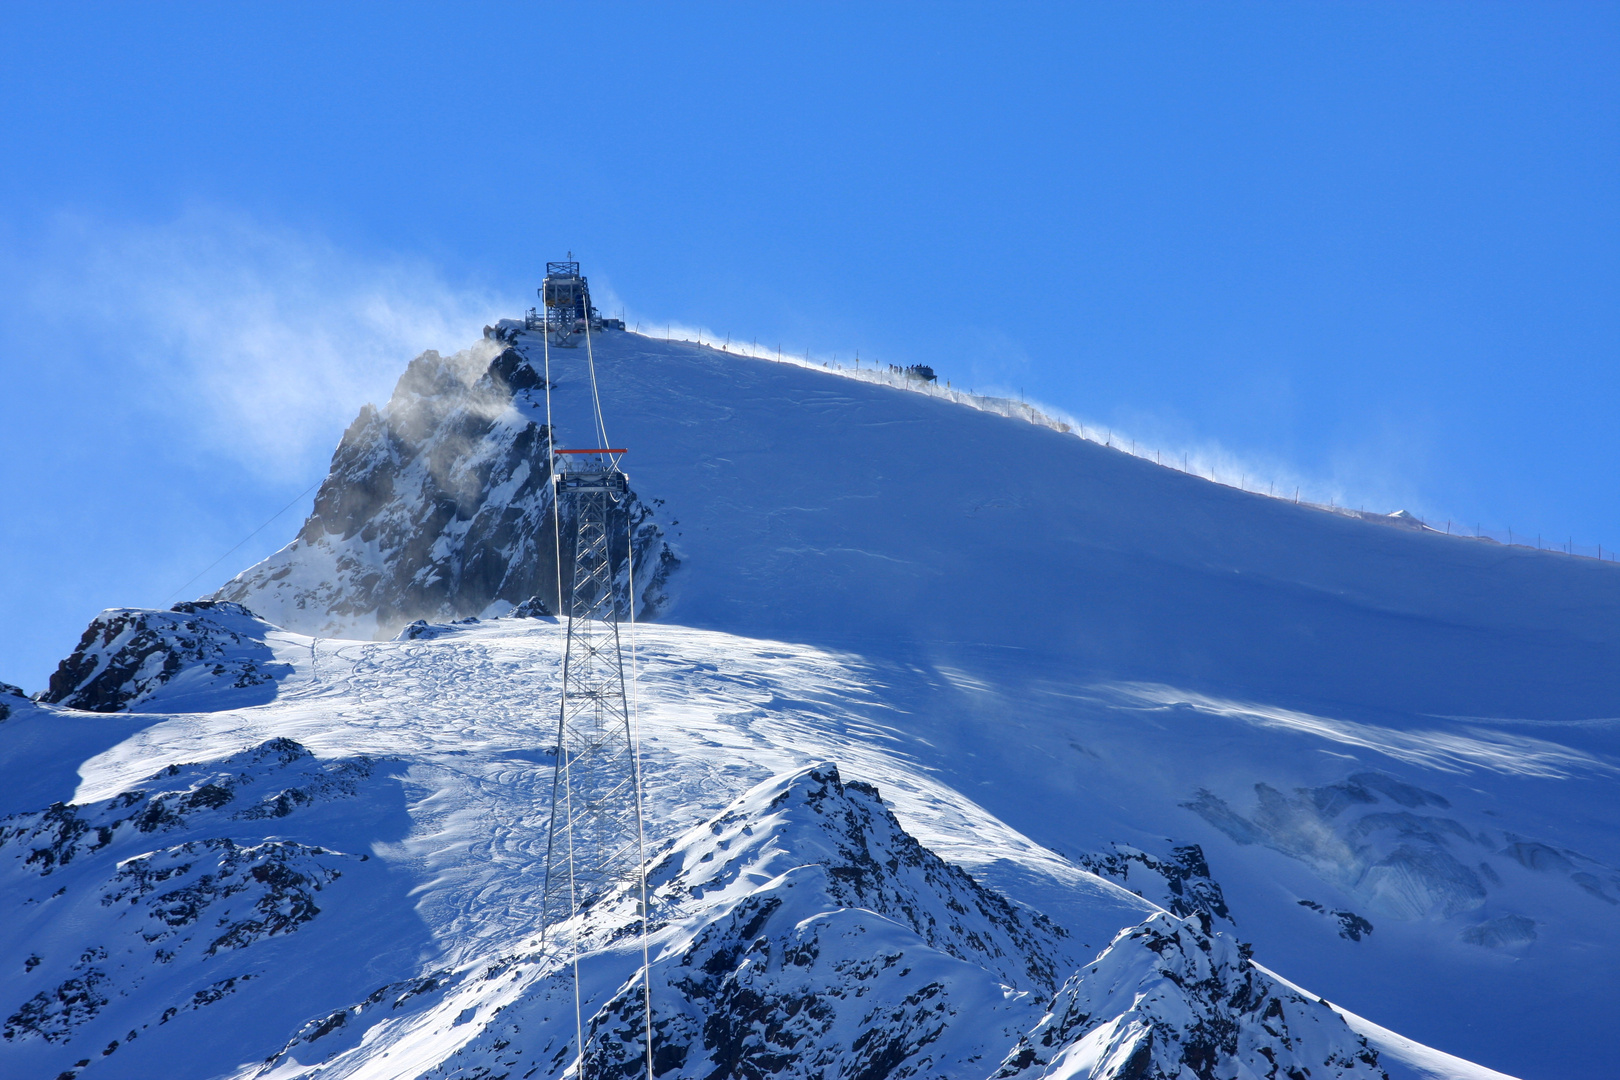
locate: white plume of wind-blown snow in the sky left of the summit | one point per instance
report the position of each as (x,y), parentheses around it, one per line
(263,339)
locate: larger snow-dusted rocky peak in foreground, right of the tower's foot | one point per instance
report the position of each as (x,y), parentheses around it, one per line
(798,933)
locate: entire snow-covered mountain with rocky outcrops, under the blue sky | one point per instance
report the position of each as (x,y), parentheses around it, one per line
(1146,746)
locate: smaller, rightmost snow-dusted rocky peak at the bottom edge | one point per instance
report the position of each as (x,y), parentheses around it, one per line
(1170,1001)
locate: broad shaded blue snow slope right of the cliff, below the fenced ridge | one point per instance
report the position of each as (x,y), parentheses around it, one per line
(1098,648)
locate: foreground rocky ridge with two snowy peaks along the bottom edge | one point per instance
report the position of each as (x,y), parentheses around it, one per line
(803,933)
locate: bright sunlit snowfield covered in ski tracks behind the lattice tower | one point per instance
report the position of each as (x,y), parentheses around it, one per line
(472,716)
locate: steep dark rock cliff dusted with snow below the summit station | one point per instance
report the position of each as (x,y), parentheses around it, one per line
(438,508)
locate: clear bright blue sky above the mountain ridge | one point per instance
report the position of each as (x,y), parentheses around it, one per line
(1363,247)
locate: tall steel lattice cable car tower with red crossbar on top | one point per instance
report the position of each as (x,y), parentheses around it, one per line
(595,840)
